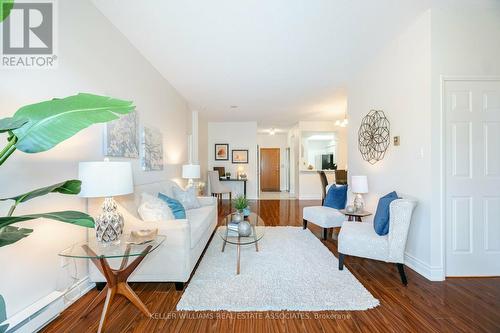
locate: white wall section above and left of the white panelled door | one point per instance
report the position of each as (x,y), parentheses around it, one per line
(465,43)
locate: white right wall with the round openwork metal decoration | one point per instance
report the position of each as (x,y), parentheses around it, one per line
(397,81)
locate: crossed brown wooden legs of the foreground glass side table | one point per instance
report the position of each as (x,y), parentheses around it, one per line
(116,285)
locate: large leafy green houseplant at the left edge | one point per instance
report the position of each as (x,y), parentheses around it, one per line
(39,127)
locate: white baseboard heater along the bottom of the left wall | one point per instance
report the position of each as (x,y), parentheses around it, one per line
(39,314)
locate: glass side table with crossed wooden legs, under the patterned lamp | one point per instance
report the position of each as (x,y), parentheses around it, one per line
(116,278)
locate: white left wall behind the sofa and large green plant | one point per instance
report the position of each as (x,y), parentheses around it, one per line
(93,57)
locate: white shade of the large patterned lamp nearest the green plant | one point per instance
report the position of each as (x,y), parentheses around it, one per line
(105,179)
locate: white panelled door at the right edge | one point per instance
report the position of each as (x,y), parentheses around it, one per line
(472,144)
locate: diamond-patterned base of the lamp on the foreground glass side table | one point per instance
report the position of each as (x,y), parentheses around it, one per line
(109,224)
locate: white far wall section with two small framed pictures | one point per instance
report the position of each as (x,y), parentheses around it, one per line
(239,135)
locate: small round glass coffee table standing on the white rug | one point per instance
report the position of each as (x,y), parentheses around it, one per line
(229,236)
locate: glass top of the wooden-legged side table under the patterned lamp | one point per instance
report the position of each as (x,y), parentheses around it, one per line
(93,249)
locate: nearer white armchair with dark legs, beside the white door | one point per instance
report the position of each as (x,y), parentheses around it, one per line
(360,239)
